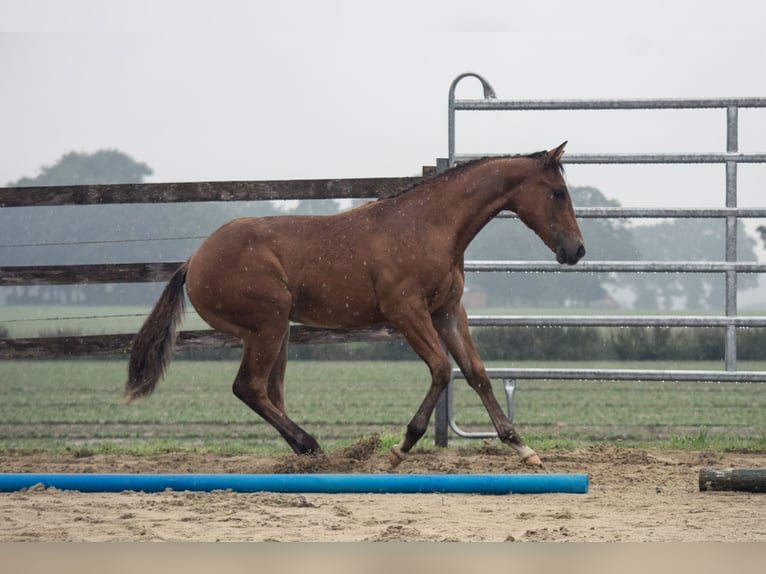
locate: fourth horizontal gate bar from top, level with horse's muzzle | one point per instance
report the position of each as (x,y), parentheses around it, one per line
(617,266)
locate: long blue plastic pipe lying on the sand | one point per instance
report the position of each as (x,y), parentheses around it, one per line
(304,483)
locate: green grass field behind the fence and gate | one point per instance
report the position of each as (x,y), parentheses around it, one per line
(77,405)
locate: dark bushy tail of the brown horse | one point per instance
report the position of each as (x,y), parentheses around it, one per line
(153,344)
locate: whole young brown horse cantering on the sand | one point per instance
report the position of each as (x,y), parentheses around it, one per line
(397,260)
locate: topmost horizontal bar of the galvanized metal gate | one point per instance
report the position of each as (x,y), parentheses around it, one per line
(634,104)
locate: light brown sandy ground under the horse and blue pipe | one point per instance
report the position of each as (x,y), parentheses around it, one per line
(634,495)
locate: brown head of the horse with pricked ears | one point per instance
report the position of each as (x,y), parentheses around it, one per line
(542,202)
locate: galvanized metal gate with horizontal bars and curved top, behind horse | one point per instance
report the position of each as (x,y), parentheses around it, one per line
(730,267)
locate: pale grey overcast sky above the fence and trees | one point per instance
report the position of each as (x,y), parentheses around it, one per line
(225,90)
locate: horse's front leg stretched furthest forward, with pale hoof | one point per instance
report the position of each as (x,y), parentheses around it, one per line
(452,326)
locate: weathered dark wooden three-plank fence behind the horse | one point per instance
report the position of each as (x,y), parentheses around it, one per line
(41,347)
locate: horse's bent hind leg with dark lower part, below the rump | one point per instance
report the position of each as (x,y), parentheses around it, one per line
(256,388)
